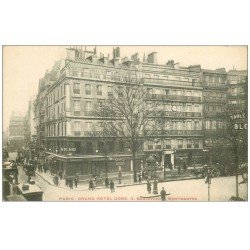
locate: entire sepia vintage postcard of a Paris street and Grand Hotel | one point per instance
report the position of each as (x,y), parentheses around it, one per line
(125,123)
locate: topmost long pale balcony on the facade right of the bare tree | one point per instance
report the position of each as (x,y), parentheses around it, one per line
(171,82)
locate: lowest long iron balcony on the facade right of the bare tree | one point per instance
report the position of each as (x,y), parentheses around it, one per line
(174,133)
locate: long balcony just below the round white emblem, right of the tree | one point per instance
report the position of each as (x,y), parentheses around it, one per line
(174,114)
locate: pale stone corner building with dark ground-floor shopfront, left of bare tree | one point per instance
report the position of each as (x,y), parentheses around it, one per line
(84,83)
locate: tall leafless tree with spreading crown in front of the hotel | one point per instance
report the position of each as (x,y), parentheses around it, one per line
(128,110)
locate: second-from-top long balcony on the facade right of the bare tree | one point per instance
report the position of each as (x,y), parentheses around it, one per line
(173,98)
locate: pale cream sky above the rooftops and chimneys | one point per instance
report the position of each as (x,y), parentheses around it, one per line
(23,66)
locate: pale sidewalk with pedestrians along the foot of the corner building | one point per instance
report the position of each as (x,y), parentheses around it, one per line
(84,186)
